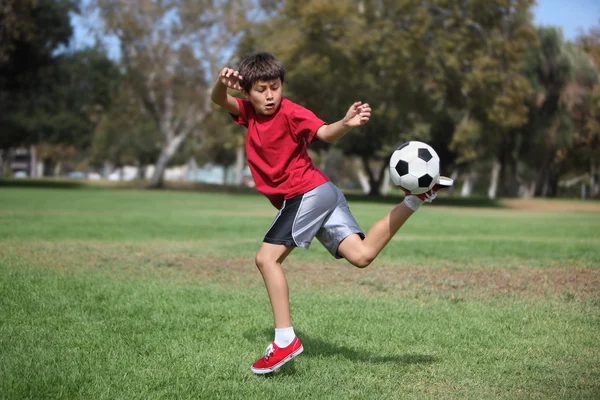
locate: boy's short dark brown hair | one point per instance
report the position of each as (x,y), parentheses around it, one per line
(260,67)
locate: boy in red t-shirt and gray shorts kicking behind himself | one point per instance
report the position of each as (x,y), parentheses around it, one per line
(309,204)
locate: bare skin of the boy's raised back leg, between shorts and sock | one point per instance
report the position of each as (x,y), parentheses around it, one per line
(361,253)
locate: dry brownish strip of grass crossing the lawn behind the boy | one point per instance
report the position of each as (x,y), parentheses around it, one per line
(188,261)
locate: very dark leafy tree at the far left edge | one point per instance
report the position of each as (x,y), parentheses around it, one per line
(31,32)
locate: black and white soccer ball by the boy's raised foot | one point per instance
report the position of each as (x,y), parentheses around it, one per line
(415,167)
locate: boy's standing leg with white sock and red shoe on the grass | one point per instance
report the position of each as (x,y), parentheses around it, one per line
(286,345)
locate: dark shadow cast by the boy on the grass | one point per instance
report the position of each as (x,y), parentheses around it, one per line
(314,347)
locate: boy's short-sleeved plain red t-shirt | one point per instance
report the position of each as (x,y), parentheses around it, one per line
(276,150)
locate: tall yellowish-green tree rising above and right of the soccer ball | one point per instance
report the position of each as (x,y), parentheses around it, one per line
(479,48)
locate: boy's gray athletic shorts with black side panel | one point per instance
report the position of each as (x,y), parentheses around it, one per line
(322,213)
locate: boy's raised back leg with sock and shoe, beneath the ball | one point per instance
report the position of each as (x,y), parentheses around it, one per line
(361,252)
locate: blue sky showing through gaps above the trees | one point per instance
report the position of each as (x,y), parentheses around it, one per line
(571,16)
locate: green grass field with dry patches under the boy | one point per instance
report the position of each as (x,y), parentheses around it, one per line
(133,294)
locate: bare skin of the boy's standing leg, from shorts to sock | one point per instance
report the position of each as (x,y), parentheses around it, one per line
(268,261)
